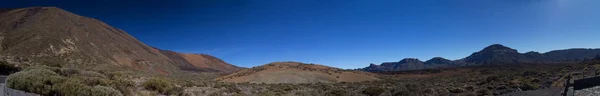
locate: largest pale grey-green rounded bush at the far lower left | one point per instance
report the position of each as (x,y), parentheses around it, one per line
(37,80)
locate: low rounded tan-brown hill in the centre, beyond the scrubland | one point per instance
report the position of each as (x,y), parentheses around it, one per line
(296,72)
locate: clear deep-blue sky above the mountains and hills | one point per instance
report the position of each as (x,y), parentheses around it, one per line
(344,33)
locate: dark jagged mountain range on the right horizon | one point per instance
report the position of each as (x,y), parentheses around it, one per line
(493,54)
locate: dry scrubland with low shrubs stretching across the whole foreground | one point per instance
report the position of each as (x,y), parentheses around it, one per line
(472,81)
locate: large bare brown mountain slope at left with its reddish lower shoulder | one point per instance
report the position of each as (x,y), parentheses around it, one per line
(42,35)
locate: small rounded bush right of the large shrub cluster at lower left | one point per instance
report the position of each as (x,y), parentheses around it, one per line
(162,86)
